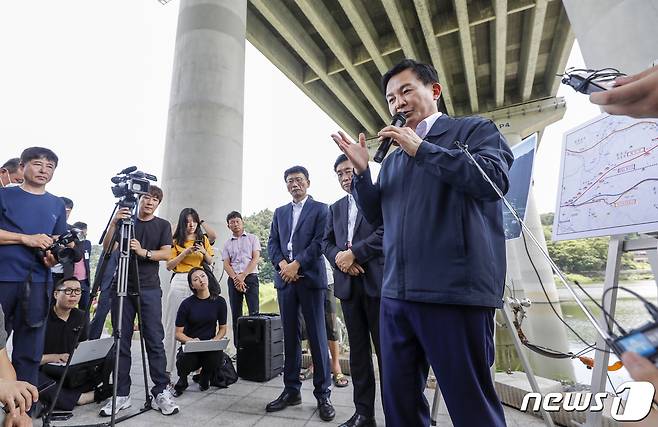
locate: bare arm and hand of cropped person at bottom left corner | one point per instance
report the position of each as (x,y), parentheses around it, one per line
(16,396)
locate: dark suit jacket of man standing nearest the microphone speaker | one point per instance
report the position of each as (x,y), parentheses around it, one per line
(366,247)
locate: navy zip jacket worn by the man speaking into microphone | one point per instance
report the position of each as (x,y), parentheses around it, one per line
(444,238)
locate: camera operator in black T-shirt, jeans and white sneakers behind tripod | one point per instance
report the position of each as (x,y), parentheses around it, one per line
(151,243)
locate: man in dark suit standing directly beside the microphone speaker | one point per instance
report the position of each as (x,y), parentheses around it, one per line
(354,249)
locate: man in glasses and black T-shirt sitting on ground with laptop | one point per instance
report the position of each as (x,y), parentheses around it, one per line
(64,321)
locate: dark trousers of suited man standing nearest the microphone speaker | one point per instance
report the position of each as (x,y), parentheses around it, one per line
(361,314)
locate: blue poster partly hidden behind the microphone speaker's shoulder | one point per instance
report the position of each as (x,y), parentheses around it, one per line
(520,177)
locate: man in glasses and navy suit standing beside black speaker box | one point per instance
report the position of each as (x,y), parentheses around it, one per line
(295,250)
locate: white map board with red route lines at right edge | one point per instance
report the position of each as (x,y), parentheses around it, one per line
(608,182)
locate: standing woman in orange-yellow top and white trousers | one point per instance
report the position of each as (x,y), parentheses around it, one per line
(190,249)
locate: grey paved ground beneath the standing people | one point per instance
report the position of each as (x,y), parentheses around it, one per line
(243,404)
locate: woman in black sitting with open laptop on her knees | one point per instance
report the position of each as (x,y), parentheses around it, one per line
(201,316)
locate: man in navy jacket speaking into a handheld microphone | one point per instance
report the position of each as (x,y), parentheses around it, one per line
(444,245)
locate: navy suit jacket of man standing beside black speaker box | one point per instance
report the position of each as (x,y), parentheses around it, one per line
(306,243)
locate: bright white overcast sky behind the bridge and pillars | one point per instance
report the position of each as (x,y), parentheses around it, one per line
(90,79)
